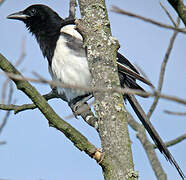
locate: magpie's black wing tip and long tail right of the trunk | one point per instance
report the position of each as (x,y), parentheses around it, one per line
(128,75)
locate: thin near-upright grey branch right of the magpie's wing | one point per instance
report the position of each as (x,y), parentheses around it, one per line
(162,71)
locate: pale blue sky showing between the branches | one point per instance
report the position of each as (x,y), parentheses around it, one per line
(35,151)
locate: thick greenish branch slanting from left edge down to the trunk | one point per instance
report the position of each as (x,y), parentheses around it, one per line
(71,133)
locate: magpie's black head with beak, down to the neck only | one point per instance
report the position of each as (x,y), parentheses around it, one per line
(39,19)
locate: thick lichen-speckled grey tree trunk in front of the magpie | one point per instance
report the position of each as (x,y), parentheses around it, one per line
(101,48)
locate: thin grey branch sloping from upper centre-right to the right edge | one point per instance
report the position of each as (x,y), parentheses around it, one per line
(120,11)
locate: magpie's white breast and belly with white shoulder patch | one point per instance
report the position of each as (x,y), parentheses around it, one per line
(70,69)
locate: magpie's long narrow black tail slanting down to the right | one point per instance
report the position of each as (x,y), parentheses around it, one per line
(153,133)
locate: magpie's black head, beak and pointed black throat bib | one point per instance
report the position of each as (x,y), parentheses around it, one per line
(44,23)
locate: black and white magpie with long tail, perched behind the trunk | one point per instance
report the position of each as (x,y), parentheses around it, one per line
(62,45)
